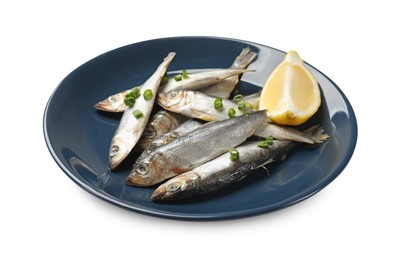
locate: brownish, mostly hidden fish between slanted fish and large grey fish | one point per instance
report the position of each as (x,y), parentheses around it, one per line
(160,123)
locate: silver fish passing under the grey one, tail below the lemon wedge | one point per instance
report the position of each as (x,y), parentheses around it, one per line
(198,105)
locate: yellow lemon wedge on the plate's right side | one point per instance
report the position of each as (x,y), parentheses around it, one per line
(291,94)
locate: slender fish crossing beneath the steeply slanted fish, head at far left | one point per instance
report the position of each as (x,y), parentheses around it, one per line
(115,102)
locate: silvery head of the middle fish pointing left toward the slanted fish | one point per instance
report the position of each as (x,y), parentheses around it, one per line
(175,99)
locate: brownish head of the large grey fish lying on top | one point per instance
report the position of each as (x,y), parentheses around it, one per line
(148,171)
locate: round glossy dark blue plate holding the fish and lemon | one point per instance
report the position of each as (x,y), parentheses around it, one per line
(78,136)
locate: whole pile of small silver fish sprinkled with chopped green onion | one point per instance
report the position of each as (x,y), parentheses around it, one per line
(187,142)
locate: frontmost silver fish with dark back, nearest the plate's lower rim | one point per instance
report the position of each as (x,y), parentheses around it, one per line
(221,172)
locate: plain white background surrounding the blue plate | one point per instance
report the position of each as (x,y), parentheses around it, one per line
(44,215)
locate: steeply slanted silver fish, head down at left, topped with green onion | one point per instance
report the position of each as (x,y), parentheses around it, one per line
(130,128)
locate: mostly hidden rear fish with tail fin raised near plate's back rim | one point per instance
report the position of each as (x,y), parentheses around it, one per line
(224,88)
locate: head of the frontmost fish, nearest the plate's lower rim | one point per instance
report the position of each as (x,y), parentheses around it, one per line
(179,187)
